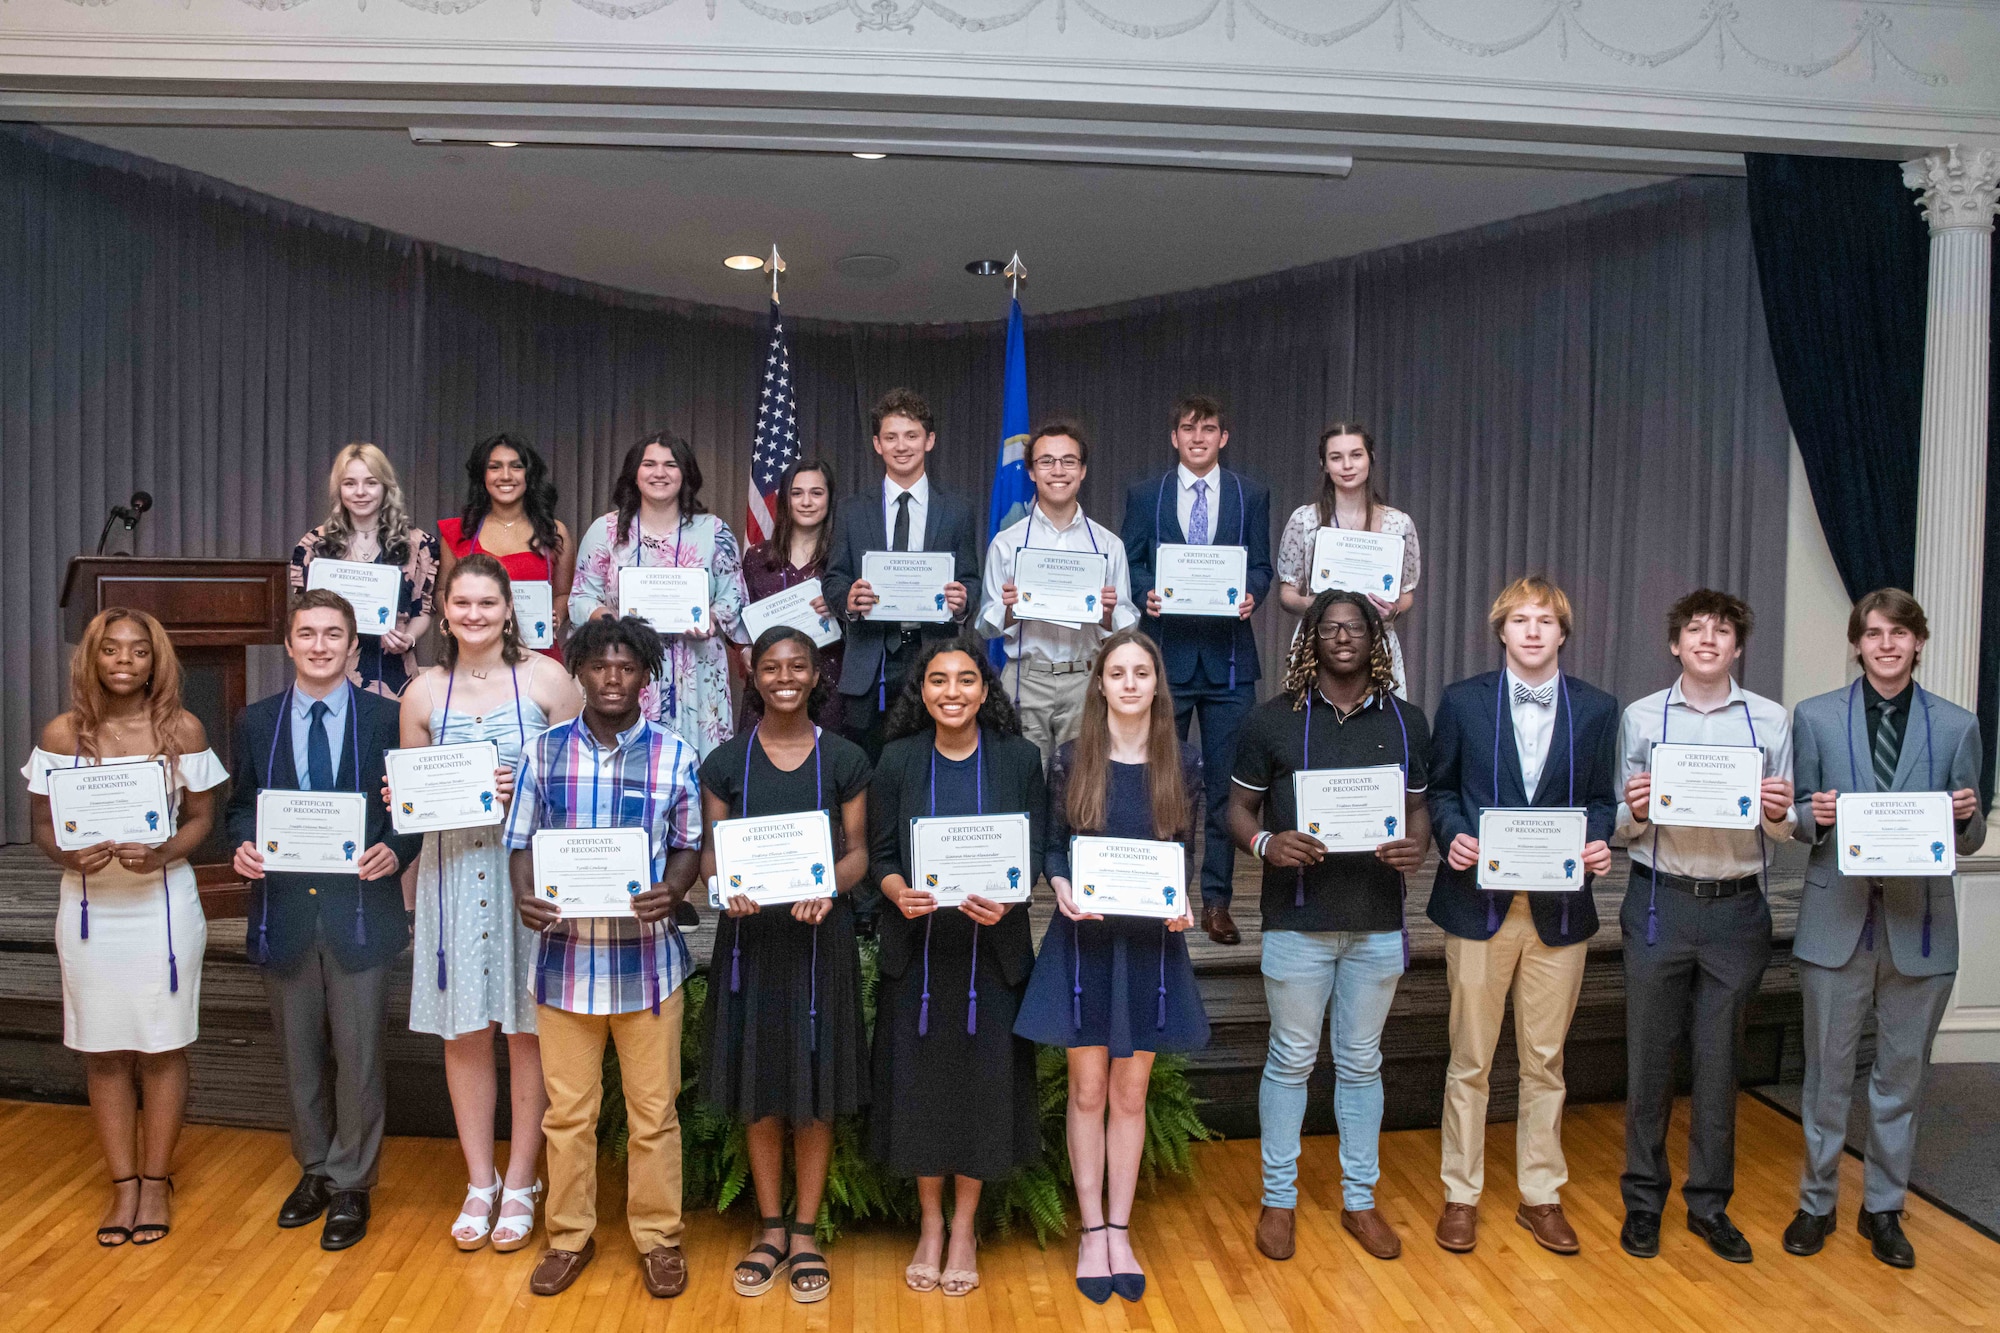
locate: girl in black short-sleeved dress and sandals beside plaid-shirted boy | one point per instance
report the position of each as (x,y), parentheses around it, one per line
(785,982)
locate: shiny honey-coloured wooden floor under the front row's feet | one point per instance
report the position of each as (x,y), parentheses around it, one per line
(227,1266)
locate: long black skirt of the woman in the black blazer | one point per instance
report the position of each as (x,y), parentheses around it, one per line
(947,1100)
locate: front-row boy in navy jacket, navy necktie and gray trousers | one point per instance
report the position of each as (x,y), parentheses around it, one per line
(327,944)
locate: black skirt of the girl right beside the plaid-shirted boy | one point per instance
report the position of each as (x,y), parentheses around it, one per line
(787,1018)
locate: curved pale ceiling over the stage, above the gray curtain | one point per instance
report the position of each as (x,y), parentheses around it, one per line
(663,221)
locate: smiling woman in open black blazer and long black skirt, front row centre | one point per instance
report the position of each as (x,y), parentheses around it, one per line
(953,1084)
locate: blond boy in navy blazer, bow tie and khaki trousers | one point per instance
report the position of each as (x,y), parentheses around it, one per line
(1527,736)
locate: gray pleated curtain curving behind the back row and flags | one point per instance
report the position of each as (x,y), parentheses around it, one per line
(1583,393)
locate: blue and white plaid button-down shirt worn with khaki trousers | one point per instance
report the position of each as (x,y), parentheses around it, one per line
(647,782)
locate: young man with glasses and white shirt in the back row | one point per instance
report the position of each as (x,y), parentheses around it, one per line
(1049,661)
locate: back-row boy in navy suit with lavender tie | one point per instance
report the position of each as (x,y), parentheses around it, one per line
(1211,661)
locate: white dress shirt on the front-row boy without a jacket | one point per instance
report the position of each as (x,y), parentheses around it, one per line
(1703,854)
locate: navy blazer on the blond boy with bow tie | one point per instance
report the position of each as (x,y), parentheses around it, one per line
(1463,786)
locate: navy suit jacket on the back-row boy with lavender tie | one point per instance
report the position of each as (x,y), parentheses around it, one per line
(1201,649)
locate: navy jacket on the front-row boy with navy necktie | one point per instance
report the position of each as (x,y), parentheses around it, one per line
(365,922)
